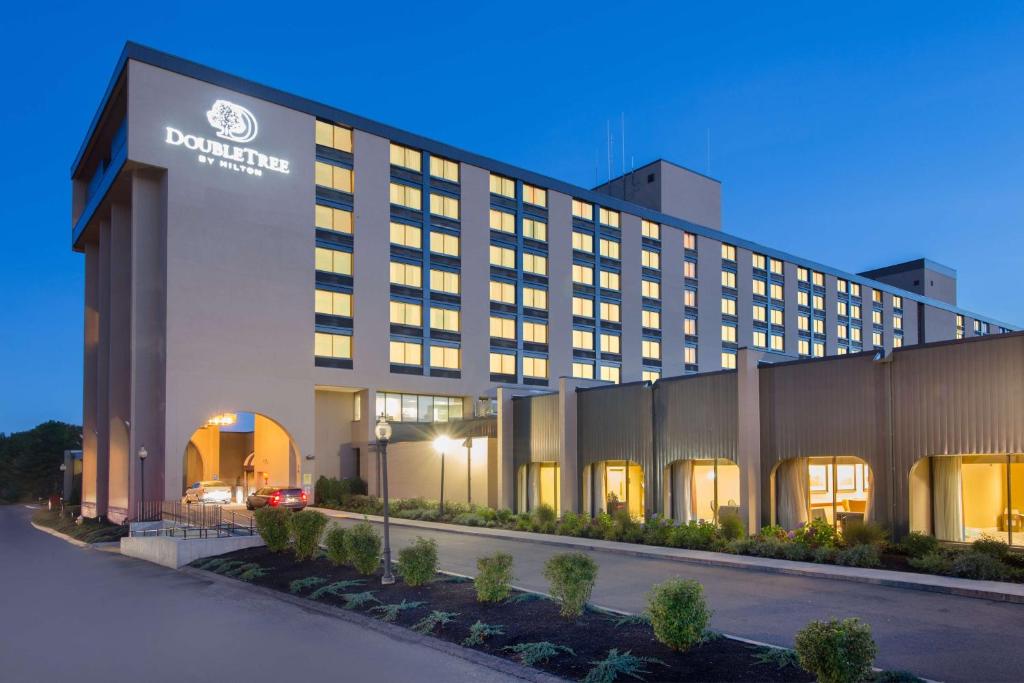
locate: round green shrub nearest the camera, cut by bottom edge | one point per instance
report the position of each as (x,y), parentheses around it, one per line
(837,652)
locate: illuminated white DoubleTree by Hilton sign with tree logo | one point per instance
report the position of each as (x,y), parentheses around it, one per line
(237,125)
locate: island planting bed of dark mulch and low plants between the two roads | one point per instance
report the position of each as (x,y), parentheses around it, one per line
(523,619)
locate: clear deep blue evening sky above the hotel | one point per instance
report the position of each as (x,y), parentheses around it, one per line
(857,137)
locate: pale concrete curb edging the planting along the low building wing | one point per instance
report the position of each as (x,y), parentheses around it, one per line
(969,588)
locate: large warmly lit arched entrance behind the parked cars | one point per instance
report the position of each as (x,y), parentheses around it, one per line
(243,450)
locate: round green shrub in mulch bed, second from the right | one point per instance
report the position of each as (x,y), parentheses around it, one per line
(678,613)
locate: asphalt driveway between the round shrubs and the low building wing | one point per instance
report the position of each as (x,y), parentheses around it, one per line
(943,637)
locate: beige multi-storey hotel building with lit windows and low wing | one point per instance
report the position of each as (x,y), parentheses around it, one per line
(252,253)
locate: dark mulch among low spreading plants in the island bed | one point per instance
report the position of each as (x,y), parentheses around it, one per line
(527,621)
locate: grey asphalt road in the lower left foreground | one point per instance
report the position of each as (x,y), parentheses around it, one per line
(87,616)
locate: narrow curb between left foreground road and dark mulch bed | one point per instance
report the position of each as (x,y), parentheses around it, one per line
(393,631)
